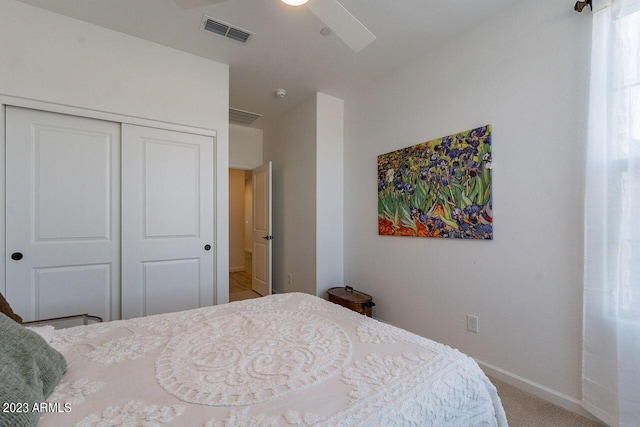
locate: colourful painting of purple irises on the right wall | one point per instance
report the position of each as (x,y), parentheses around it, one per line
(440,188)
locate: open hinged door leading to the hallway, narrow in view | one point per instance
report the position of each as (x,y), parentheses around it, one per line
(262,238)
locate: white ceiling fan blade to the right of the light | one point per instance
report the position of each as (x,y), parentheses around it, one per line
(343,23)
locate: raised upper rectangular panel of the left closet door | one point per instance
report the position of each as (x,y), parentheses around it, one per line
(71,186)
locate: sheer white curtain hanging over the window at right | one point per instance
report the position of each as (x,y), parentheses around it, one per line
(611,342)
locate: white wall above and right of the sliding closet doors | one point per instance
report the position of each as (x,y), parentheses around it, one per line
(52,58)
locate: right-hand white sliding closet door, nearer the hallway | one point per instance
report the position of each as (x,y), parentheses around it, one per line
(167,221)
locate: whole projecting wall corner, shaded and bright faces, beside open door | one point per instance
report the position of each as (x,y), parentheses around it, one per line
(307,150)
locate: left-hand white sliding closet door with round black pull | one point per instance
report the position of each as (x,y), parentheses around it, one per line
(62,215)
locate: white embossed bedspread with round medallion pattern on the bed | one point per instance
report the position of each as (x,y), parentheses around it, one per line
(289,359)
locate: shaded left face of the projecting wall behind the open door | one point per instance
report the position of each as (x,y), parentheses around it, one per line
(291,144)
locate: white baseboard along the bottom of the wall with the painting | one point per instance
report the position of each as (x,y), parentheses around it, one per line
(560,399)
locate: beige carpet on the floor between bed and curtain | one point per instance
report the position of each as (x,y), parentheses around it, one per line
(526,410)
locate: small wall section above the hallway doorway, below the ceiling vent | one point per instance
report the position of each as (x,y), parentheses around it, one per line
(245,147)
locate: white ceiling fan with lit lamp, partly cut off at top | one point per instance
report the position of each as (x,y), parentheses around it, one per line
(331,12)
